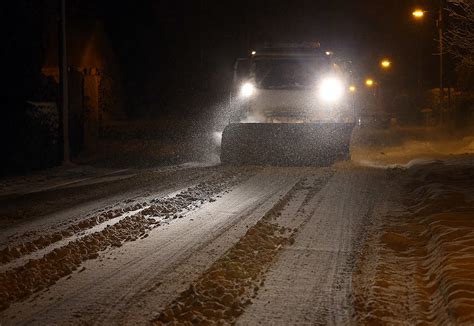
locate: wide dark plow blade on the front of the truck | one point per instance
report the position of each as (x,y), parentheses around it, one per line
(284,144)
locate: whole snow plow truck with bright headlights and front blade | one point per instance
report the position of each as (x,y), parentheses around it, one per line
(293,105)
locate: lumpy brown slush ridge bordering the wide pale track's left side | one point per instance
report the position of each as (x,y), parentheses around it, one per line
(18,283)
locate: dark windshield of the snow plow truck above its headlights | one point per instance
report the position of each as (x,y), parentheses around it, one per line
(287,73)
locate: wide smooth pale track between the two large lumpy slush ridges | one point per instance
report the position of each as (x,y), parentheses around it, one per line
(138,278)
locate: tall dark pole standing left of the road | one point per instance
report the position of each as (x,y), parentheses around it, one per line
(63,79)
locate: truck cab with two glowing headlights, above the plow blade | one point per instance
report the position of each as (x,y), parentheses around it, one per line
(295,84)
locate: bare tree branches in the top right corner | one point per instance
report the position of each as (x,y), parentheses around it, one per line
(459,35)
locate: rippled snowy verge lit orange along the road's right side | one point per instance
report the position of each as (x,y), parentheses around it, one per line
(421,270)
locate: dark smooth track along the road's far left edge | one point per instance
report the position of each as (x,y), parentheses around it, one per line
(58,210)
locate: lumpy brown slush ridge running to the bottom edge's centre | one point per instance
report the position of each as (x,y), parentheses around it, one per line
(221,293)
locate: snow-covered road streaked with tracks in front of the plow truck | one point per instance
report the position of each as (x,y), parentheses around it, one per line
(253,245)
